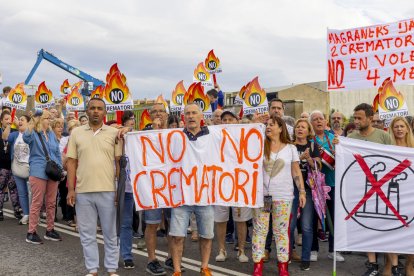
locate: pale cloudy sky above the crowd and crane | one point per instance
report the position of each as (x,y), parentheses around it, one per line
(159,43)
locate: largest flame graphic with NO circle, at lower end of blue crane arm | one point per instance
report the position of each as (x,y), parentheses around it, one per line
(116,89)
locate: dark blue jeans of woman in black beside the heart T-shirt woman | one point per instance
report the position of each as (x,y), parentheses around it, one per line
(306,219)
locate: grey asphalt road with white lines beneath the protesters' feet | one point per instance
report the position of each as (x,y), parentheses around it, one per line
(65,258)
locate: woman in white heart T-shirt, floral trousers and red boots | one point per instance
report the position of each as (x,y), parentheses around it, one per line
(281,165)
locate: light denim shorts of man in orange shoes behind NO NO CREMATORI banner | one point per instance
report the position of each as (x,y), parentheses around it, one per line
(180,218)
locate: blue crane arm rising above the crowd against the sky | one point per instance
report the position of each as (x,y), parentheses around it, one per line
(91,82)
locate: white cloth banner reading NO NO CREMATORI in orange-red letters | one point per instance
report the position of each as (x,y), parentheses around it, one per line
(223,167)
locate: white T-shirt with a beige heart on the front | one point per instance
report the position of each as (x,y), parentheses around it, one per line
(281,182)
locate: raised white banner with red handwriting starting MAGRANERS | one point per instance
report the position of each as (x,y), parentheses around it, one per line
(364,57)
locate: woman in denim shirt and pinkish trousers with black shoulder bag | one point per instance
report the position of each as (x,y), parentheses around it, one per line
(42,187)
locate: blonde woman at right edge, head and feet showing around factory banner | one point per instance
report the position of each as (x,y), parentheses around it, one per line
(401,135)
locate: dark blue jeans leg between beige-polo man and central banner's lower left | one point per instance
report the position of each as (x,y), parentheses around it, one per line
(126,227)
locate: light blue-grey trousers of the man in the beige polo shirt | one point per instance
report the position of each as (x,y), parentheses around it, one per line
(88,207)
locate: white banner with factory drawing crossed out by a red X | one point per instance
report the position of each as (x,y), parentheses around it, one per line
(374,197)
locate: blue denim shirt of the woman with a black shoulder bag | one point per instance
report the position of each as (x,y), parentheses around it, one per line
(37,159)
